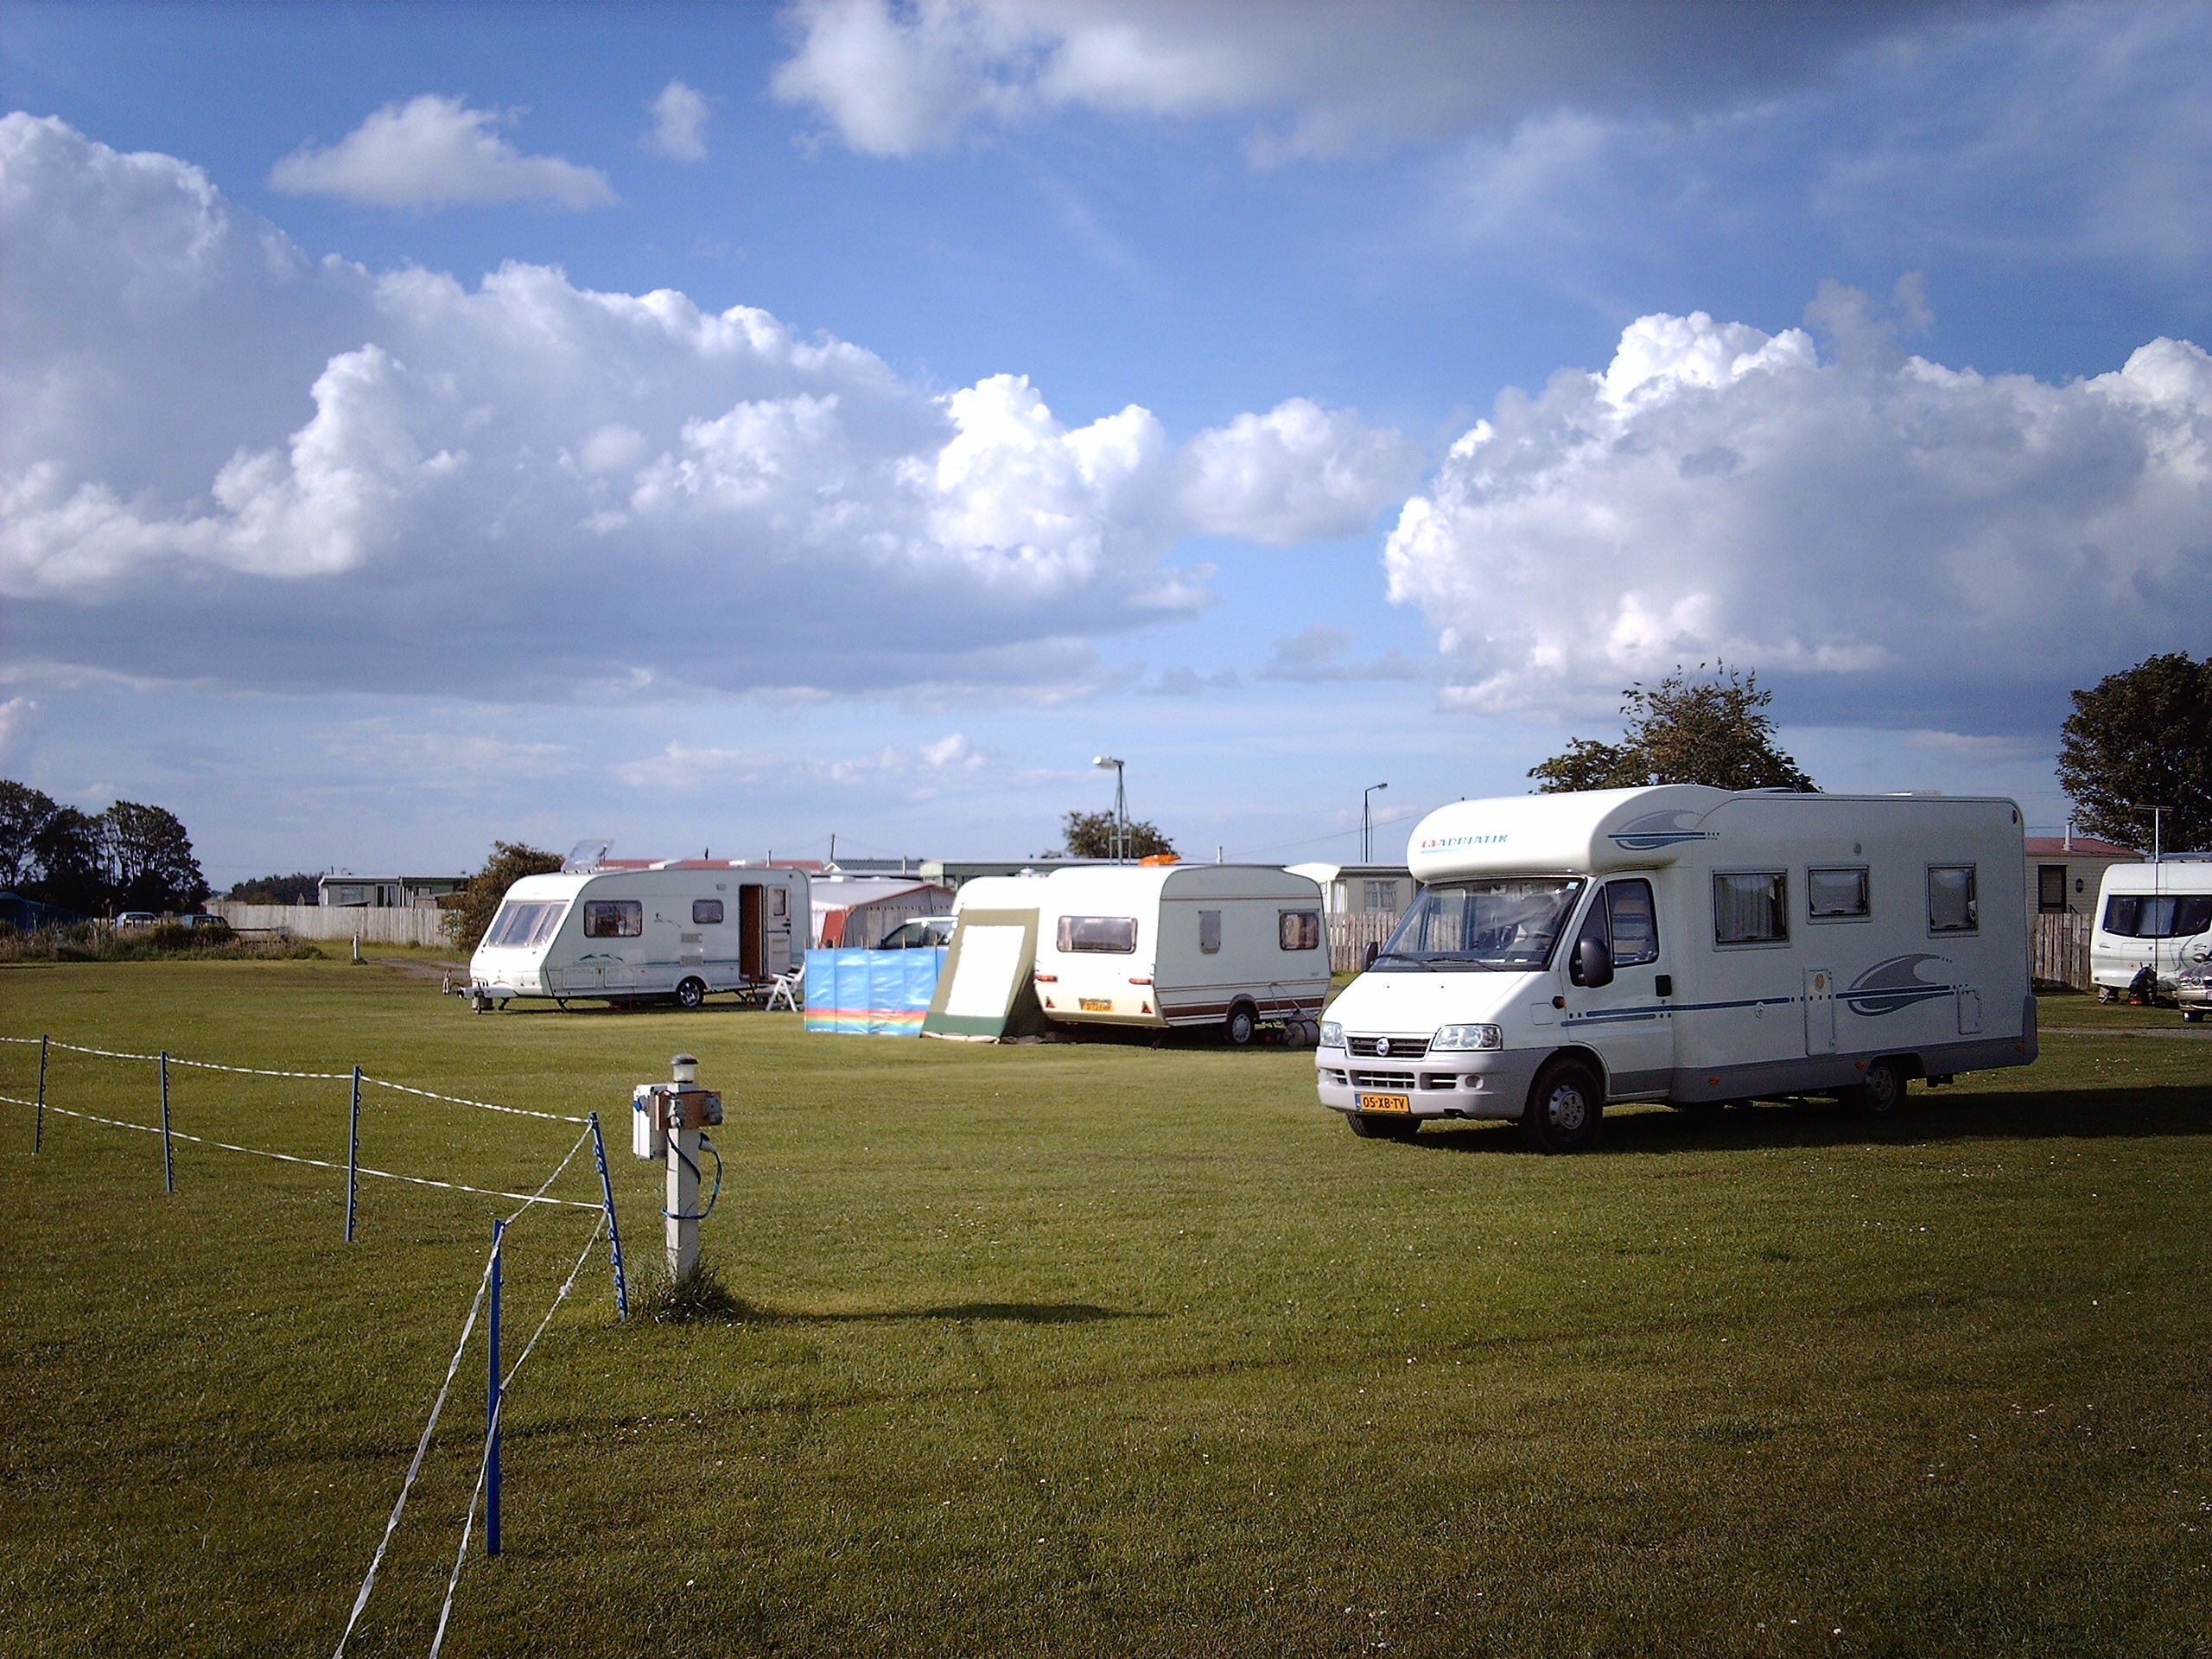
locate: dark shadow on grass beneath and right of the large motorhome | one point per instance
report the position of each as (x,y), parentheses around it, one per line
(1928,1120)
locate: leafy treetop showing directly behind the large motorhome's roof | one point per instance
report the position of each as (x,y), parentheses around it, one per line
(1682,731)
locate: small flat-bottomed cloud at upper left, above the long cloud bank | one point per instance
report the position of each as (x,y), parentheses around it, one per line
(432,154)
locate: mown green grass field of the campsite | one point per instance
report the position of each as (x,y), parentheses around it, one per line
(1098,1350)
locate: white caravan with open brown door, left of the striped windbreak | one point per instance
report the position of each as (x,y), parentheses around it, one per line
(680,930)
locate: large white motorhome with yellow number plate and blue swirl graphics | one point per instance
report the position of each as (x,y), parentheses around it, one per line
(1687,946)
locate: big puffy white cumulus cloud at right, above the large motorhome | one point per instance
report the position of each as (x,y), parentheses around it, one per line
(1892,534)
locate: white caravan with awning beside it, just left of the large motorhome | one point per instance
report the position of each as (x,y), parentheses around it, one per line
(1171,946)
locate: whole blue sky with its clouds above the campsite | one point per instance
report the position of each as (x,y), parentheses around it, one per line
(1284,399)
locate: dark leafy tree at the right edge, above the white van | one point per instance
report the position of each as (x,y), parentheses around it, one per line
(2138,740)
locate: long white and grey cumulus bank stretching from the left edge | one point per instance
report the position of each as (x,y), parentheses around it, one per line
(225,459)
